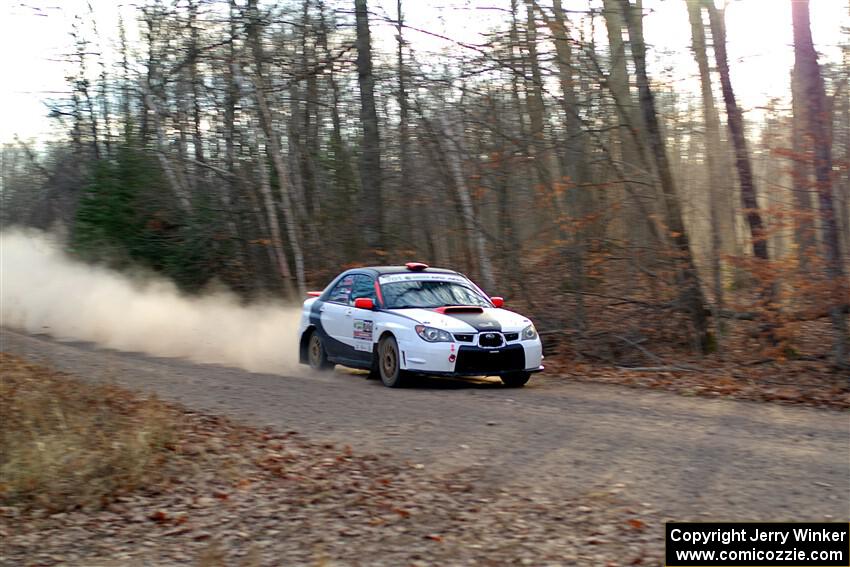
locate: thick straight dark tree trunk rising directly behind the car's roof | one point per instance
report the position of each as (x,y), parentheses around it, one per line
(371,213)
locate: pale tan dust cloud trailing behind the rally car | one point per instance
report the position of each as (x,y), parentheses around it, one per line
(43,290)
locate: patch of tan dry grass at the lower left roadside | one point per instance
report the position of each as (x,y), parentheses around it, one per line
(65,444)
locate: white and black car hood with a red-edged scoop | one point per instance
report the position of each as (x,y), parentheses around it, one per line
(459,321)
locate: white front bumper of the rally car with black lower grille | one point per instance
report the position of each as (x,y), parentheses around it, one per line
(453,359)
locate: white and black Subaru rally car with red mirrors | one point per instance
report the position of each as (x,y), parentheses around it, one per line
(412,319)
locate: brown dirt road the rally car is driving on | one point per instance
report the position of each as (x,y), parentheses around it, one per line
(690,458)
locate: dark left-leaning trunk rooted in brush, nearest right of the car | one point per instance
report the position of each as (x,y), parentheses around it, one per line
(689,278)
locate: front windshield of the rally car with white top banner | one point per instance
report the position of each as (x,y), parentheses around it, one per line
(429,294)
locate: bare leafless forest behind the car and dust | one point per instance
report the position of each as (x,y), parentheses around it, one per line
(263,146)
